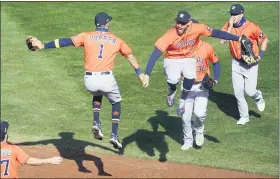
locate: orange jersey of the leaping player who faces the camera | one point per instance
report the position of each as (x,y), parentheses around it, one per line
(178,47)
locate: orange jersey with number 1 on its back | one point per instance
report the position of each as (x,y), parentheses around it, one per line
(100,49)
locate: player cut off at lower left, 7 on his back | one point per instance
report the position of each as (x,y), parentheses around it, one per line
(12,156)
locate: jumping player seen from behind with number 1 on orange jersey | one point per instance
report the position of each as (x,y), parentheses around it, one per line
(100,49)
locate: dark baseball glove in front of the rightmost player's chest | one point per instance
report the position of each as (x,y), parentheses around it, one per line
(247,51)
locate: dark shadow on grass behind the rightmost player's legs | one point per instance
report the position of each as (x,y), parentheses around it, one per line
(227,104)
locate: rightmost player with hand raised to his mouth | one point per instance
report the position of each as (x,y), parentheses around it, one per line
(245,77)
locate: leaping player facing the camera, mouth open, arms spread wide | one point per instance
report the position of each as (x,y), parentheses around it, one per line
(179,44)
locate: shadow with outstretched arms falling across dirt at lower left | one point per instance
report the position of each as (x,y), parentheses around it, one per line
(74,149)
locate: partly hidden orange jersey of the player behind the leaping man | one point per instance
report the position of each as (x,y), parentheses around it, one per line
(203,53)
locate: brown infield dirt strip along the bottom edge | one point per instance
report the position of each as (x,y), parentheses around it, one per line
(118,167)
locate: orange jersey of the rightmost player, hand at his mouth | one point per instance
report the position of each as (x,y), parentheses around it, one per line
(252,31)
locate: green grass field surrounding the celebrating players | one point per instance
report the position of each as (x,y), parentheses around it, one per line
(43,94)
